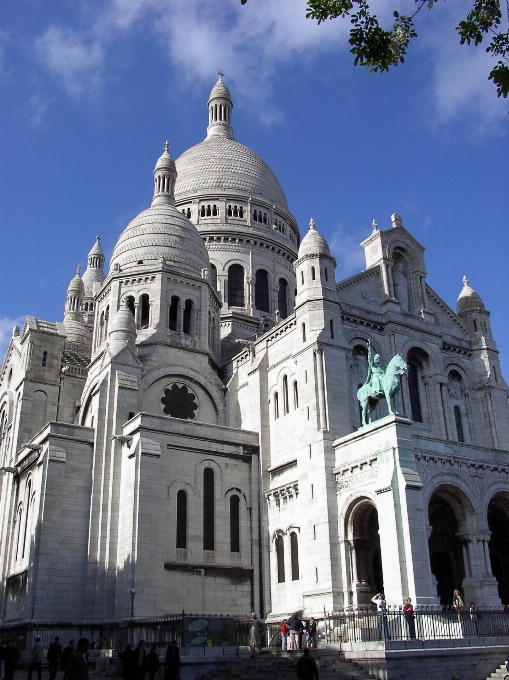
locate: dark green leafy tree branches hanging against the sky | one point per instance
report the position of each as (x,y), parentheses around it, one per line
(379,48)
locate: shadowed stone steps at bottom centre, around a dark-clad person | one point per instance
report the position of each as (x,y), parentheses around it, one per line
(279,665)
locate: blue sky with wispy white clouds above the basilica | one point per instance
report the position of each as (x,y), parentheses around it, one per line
(90,90)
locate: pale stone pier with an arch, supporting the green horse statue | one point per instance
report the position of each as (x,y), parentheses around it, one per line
(378,462)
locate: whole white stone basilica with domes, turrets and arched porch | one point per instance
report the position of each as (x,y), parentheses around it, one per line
(191,431)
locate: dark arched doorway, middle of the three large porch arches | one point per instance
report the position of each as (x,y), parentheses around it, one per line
(447,542)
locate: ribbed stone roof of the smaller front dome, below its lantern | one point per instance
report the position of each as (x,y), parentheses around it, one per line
(161,232)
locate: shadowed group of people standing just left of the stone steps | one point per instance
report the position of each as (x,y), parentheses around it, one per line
(137,662)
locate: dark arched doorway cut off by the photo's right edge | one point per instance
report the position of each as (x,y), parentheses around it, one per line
(498,523)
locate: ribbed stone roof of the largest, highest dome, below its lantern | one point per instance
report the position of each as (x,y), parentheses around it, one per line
(222,165)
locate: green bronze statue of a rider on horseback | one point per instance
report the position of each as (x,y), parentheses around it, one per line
(380,384)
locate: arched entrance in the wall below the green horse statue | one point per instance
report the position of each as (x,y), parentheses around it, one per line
(366,557)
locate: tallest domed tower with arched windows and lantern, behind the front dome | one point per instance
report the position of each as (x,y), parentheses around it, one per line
(241,212)
